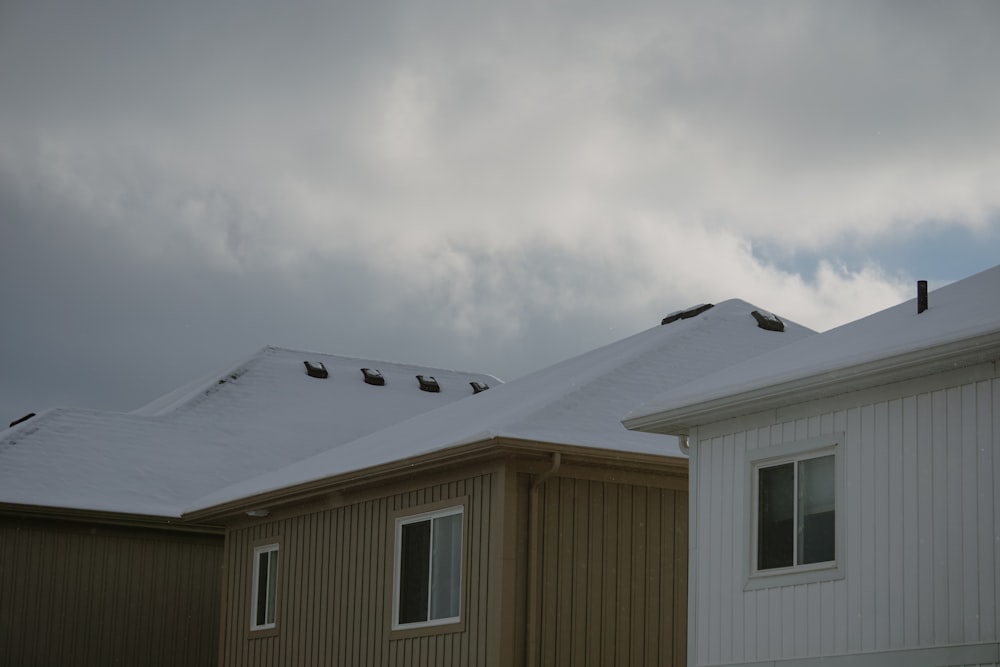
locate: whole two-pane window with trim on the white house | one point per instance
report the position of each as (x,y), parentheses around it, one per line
(796,526)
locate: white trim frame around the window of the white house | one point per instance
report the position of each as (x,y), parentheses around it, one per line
(787,453)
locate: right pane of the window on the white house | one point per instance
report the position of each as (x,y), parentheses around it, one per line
(817,498)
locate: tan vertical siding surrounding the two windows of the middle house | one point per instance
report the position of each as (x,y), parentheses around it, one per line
(334,573)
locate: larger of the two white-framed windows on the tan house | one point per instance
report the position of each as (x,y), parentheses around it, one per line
(427,576)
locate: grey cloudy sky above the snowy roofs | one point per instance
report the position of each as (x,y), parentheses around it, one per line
(483,186)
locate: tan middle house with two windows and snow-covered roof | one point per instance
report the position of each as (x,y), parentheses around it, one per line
(523,526)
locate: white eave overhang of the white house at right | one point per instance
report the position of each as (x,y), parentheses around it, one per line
(679,419)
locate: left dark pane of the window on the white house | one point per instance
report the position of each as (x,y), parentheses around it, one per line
(775,516)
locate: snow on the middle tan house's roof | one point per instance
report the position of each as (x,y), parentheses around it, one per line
(579,401)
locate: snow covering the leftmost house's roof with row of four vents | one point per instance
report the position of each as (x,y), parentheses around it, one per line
(260,415)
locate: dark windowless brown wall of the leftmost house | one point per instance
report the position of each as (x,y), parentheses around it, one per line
(75,593)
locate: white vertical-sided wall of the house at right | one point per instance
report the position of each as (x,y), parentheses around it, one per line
(921,514)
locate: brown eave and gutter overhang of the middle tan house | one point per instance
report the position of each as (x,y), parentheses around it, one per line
(455,457)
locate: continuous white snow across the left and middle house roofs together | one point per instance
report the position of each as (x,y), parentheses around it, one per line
(267,425)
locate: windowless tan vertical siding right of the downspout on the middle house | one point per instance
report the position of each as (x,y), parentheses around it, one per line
(613,564)
